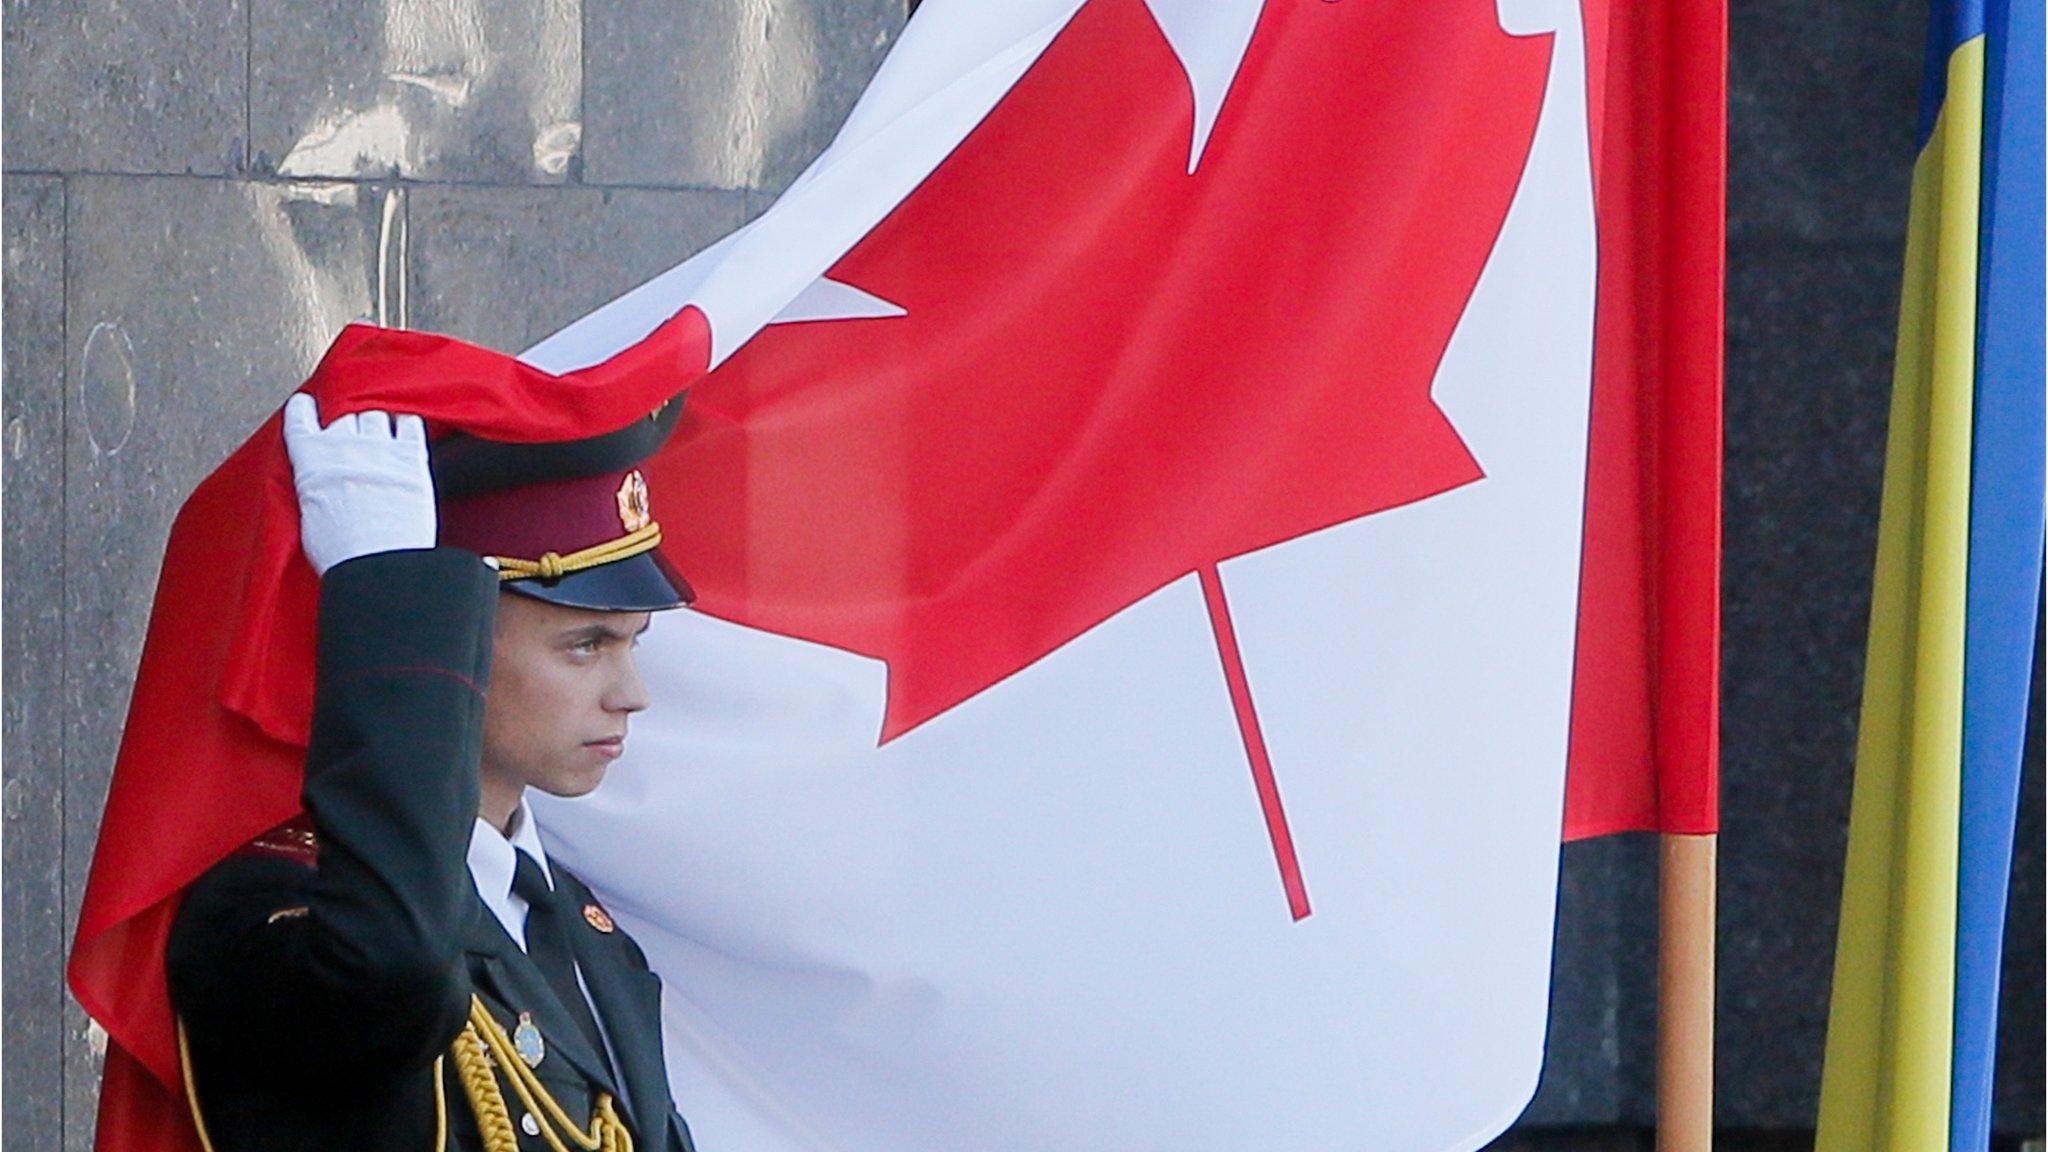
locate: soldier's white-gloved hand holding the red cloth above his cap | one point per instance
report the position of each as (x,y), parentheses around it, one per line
(364,483)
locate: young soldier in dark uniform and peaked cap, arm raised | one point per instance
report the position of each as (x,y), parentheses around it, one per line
(404,966)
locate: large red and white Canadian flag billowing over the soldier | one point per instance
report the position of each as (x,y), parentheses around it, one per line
(1164,524)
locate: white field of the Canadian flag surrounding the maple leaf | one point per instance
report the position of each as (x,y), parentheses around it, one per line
(1052,917)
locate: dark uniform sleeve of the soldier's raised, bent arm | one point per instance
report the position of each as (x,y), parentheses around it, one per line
(353,966)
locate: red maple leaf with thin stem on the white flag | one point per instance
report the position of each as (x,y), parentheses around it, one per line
(1113,372)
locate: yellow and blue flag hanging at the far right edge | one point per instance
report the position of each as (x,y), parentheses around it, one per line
(1914,1012)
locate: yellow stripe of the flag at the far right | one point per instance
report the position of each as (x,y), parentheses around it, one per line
(1885,1085)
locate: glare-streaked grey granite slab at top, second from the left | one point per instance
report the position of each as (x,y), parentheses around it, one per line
(425,89)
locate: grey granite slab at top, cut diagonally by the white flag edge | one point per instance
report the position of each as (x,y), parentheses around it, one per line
(724,93)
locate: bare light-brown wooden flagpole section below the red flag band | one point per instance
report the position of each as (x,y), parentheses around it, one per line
(1687,995)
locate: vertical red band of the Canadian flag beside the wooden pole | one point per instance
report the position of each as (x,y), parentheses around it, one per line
(1646,739)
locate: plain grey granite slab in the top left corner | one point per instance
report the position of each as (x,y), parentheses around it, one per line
(126,85)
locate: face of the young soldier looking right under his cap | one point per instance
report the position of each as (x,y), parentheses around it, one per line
(564,684)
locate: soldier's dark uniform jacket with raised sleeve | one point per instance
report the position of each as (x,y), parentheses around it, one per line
(327,973)
